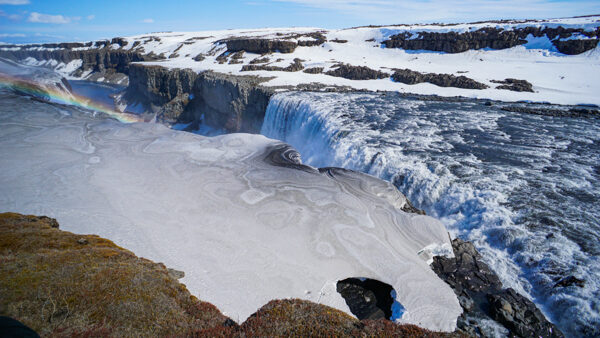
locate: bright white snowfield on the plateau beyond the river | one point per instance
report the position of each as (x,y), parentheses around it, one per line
(556,78)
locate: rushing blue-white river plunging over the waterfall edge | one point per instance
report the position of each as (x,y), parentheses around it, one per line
(524,188)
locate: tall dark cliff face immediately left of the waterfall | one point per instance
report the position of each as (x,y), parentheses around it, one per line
(233,103)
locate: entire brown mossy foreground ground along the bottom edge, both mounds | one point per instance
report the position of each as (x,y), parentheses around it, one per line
(62,284)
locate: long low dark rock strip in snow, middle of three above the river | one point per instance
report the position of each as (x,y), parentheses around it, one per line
(411,77)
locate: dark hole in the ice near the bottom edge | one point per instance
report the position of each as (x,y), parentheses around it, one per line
(370,299)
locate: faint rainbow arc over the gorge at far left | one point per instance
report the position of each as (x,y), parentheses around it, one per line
(63,97)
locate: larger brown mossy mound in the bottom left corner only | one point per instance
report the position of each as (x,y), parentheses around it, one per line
(57,284)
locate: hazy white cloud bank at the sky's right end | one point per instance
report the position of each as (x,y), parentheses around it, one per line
(415,11)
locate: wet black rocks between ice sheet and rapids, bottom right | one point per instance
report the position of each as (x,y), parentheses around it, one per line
(482,296)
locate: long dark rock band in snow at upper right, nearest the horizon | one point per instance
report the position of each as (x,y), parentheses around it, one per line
(494,38)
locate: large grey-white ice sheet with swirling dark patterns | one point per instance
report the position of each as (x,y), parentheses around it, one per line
(234,212)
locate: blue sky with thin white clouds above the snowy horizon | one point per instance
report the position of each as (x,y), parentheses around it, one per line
(23,21)
